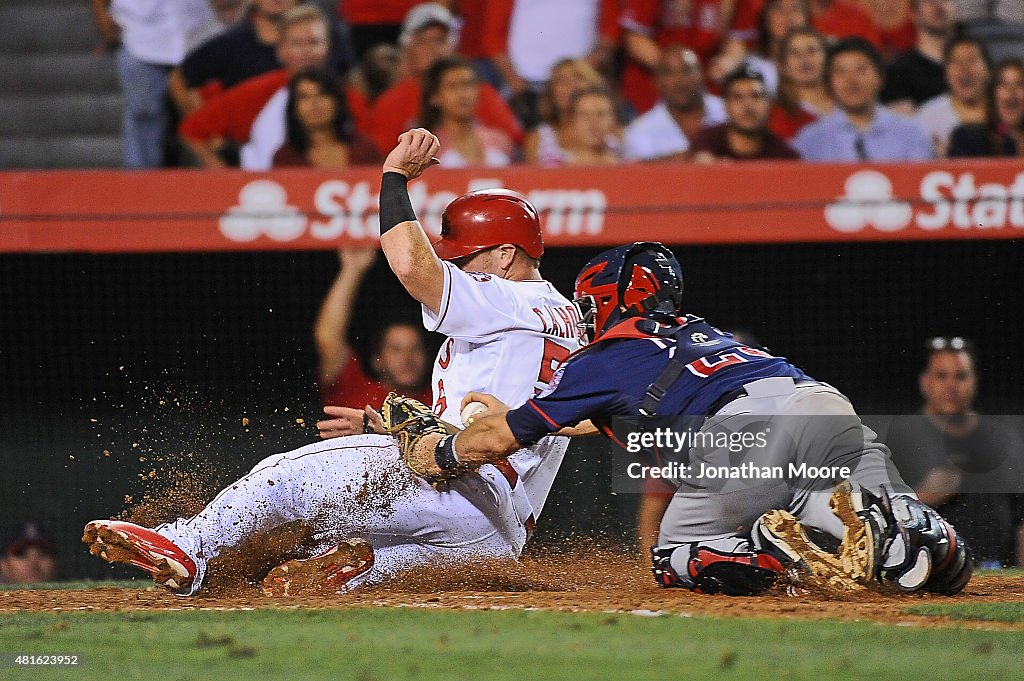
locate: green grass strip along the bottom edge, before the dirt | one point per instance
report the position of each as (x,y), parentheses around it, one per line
(415,644)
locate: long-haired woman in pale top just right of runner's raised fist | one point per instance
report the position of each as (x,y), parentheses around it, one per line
(451,93)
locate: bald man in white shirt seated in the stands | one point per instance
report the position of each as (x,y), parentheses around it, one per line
(664,134)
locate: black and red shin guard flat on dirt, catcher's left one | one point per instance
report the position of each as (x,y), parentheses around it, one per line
(712,572)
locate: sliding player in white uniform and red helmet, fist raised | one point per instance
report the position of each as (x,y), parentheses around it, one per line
(368,515)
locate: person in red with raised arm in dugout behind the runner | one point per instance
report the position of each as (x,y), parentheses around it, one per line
(400,359)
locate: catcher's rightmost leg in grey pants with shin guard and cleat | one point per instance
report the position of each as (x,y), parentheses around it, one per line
(882,528)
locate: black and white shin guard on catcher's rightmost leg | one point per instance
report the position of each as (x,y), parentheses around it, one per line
(923,550)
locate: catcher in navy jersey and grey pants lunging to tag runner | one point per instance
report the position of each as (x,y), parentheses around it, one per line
(649,360)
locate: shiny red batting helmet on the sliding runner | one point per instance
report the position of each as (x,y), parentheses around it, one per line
(485,219)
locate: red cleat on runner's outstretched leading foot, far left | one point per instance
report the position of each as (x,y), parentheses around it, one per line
(119,542)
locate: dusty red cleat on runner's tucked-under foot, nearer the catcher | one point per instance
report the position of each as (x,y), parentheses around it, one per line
(323,575)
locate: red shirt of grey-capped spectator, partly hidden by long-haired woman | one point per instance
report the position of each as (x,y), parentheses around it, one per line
(399,110)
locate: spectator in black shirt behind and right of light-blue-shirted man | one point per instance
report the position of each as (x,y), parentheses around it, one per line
(919,75)
